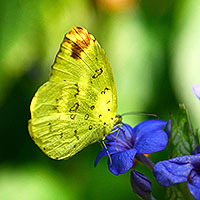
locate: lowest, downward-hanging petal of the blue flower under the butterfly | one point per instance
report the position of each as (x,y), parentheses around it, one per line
(122,161)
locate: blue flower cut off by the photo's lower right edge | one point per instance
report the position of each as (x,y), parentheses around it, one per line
(180,169)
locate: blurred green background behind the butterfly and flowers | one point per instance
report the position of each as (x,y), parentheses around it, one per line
(154,50)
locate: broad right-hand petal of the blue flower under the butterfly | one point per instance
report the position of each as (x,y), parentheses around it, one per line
(150,136)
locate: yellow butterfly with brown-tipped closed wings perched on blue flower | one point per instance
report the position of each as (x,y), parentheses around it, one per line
(78,105)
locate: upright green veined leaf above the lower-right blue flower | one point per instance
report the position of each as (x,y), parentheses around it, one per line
(183,139)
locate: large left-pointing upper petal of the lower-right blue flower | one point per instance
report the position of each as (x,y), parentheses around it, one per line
(175,170)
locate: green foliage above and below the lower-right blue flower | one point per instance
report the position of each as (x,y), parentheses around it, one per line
(182,142)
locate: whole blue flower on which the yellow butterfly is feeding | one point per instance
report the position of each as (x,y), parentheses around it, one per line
(125,142)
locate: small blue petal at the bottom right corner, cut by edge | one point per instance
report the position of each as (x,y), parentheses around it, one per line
(195,186)
